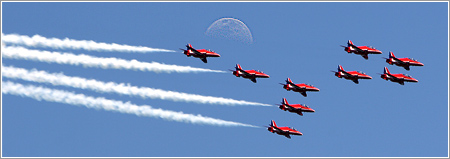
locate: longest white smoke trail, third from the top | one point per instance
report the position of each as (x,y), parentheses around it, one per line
(119,88)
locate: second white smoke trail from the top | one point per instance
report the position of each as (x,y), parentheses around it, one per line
(99,62)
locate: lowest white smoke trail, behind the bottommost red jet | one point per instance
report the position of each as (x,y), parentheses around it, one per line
(60,96)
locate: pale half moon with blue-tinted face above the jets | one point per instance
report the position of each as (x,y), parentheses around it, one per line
(230,29)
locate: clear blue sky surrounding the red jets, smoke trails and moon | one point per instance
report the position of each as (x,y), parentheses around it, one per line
(375,118)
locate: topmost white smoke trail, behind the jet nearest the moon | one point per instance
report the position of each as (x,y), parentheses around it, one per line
(55,43)
